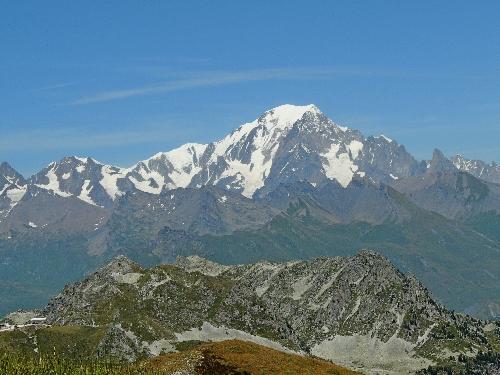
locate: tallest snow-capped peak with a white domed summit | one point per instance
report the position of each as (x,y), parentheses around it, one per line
(295,143)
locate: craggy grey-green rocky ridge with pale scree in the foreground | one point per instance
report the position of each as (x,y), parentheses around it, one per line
(360,312)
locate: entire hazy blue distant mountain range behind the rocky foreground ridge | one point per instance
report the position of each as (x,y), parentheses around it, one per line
(291,184)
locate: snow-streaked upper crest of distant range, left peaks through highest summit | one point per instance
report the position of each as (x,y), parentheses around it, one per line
(285,144)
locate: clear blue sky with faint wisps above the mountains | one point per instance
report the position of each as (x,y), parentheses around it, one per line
(122,80)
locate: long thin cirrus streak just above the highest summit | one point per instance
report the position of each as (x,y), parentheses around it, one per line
(219,78)
